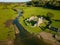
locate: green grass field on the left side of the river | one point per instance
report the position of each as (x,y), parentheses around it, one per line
(6,14)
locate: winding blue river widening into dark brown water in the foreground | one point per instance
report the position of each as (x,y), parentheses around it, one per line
(24,37)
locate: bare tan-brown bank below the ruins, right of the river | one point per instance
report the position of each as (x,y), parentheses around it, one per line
(48,38)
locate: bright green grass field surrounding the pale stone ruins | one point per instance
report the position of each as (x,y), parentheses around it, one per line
(30,11)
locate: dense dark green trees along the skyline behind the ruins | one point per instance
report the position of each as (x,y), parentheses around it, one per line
(54,4)
